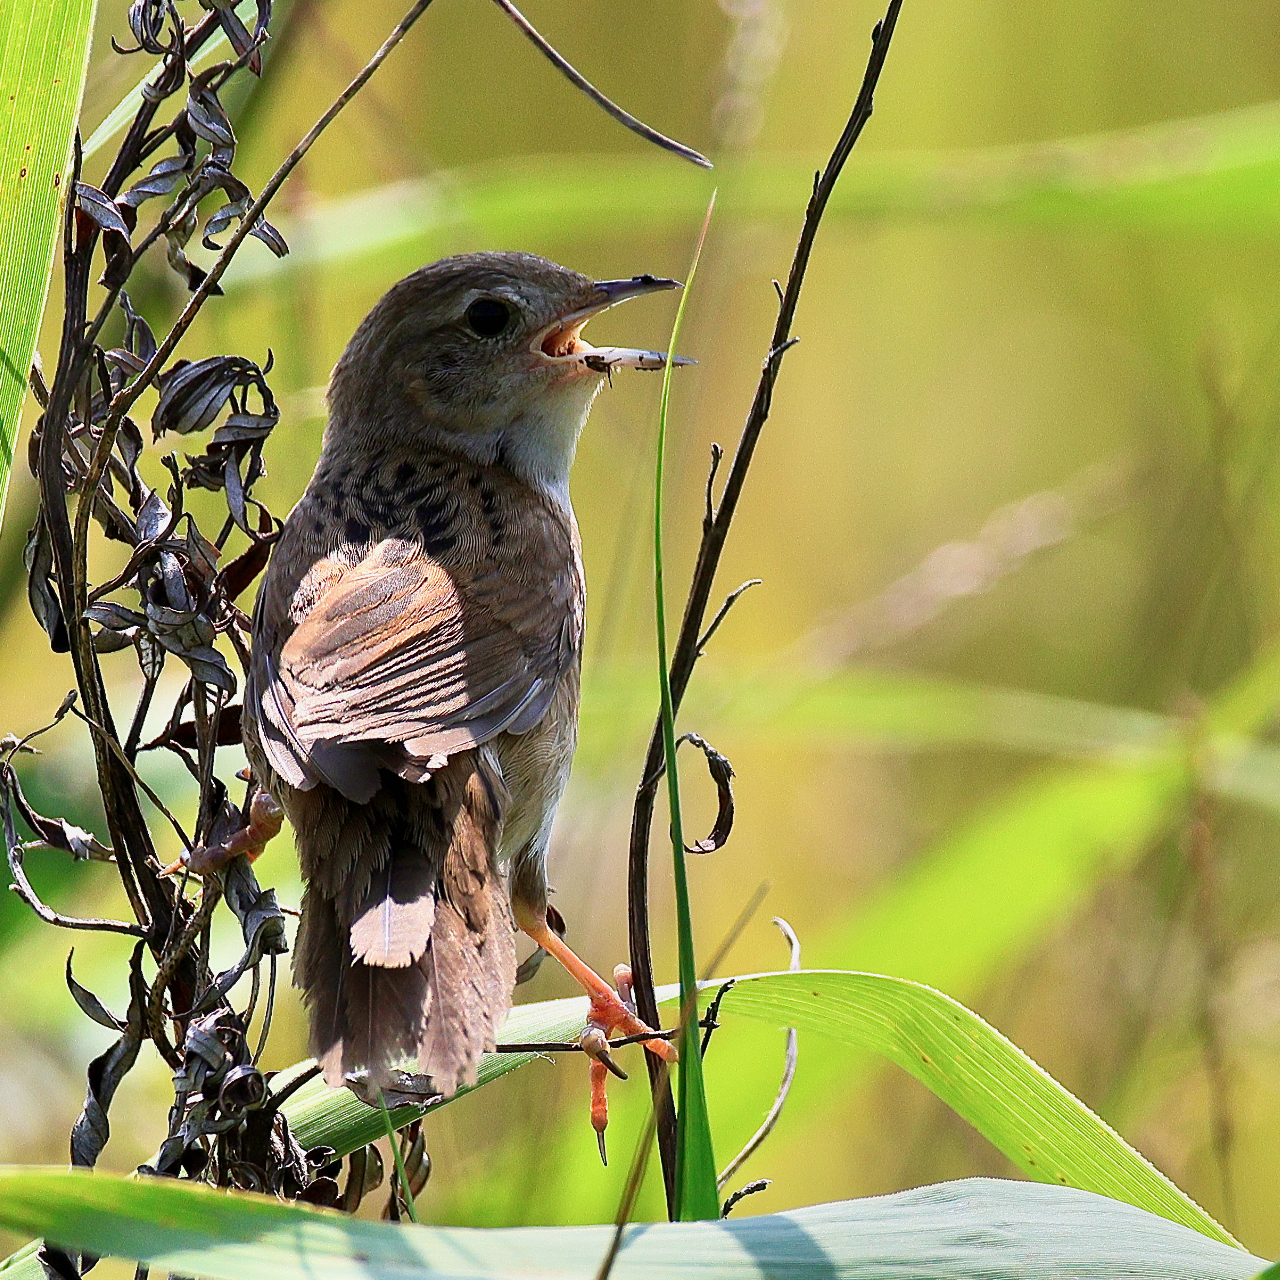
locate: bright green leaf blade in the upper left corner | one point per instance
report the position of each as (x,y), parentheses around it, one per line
(44,56)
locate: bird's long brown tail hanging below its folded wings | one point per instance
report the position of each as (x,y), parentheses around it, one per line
(406,952)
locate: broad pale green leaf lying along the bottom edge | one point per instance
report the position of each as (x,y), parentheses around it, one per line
(979,1229)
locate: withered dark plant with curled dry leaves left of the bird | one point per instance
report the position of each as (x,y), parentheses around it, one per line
(181,598)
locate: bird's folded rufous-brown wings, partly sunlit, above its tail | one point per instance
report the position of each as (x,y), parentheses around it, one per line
(403,660)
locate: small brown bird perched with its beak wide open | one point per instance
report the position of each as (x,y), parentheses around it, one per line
(413,700)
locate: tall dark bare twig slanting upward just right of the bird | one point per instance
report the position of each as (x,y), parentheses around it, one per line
(715,534)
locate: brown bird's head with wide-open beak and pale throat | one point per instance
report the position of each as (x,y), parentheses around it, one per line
(484,354)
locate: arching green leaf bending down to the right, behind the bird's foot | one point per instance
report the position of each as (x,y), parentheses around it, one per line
(970,1066)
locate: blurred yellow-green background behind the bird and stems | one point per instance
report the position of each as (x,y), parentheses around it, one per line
(1016,518)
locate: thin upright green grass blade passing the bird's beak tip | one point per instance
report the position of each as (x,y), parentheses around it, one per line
(697,1196)
